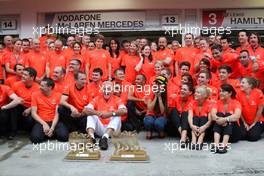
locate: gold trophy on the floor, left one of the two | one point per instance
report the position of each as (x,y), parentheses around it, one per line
(82,148)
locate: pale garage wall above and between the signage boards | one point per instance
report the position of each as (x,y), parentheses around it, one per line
(28,10)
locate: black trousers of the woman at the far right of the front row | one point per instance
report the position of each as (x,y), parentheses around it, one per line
(253,134)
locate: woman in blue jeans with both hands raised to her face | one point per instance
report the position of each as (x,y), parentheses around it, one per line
(157,108)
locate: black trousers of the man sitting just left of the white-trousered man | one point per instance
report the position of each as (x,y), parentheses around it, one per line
(72,124)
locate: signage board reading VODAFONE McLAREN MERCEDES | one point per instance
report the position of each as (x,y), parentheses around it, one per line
(103,21)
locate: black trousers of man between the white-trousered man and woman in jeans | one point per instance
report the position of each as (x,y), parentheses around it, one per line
(133,121)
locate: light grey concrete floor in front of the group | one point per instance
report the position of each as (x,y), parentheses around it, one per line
(18,157)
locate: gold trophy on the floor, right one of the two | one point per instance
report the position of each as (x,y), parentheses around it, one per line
(127,148)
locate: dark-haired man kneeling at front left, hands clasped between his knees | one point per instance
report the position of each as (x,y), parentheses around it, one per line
(44,109)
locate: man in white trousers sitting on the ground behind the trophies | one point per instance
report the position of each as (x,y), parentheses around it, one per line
(104,113)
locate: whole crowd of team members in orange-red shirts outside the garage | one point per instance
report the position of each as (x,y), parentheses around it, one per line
(203,89)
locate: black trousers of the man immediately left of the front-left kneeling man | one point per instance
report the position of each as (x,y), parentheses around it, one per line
(18,121)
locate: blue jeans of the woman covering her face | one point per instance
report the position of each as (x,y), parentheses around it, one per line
(154,123)
